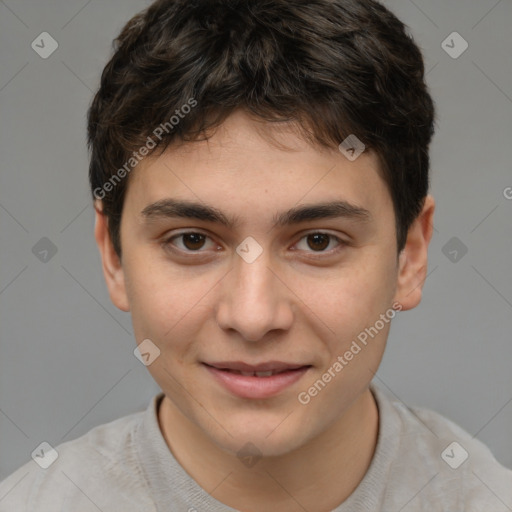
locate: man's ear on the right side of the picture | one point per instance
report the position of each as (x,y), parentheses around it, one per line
(412,270)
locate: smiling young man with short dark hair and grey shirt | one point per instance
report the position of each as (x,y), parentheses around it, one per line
(260,177)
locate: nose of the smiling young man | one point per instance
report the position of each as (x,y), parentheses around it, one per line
(254,300)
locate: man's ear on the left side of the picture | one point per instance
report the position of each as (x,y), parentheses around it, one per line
(112,267)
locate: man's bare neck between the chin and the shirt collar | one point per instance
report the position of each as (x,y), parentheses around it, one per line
(318,475)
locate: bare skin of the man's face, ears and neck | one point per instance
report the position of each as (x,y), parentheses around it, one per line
(285,306)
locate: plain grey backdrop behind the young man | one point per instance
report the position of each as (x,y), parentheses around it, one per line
(67,360)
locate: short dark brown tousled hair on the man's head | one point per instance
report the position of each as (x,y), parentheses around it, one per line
(334,67)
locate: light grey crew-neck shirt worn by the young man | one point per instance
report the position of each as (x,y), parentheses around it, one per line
(422,462)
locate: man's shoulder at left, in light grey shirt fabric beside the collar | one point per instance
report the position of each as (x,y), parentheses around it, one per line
(97,471)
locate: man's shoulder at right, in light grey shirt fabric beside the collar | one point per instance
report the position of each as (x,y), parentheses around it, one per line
(437,458)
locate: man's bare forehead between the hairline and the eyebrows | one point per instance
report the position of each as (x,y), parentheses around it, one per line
(247,168)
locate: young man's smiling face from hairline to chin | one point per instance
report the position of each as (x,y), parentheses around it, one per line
(261,279)
